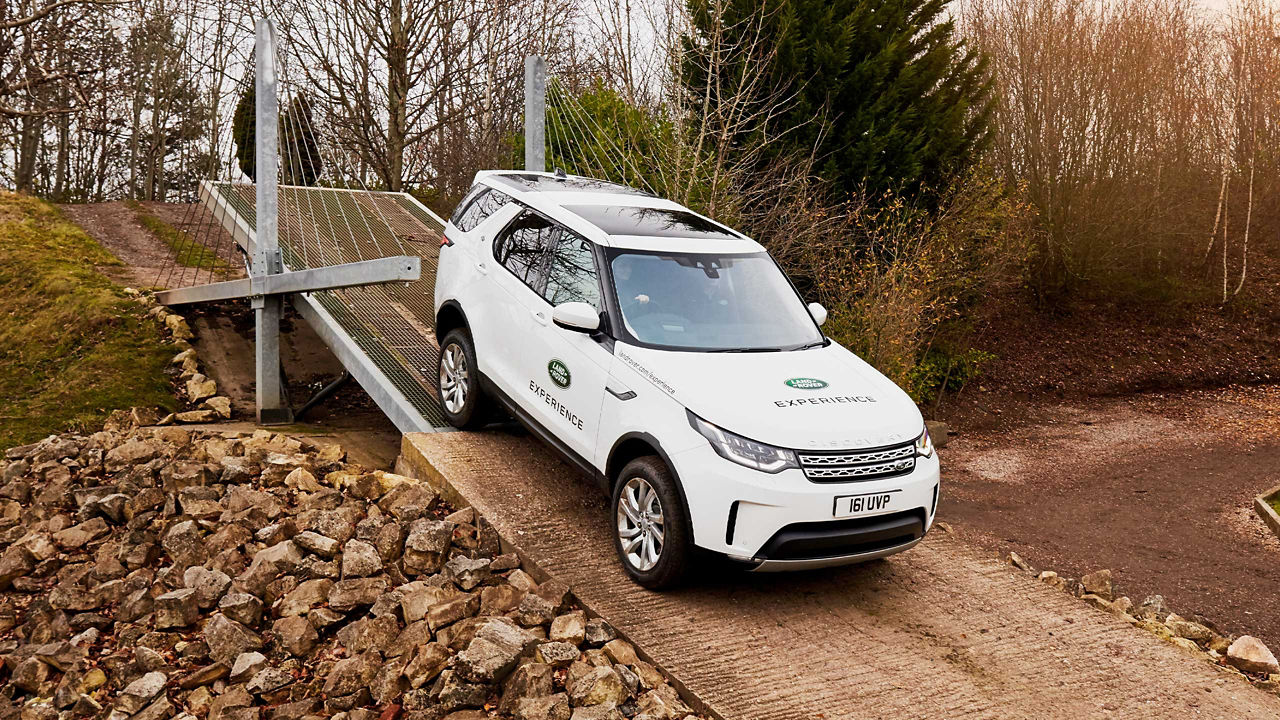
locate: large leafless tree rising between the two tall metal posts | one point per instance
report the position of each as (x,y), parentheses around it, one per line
(394,80)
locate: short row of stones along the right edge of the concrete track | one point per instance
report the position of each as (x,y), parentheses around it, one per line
(1246,654)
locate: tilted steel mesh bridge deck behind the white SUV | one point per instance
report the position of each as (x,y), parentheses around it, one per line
(385,335)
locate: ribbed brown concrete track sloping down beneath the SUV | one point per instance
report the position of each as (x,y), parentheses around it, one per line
(938,632)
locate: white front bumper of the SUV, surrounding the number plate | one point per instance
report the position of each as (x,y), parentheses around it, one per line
(785,522)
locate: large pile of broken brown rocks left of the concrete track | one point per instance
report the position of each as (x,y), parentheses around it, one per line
(161,572)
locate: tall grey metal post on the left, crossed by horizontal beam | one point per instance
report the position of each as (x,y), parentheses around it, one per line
(267,245)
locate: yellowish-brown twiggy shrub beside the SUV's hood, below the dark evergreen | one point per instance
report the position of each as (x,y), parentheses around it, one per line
(893,276)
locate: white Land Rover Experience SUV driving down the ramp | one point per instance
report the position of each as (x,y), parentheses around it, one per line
(671,359)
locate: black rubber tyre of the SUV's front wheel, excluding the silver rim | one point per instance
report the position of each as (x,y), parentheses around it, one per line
(676,554)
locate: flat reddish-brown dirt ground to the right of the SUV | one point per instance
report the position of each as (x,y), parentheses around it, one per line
(1158,489)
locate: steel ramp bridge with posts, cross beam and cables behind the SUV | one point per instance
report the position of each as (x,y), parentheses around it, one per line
(359,266)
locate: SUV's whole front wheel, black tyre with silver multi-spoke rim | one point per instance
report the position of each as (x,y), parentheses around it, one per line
(652,534)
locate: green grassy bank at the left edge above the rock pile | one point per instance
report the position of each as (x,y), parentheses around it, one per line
(72,347)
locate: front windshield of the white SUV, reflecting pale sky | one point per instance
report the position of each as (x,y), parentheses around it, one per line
(702,302)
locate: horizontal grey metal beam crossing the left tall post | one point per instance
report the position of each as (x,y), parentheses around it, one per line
(404,268)
